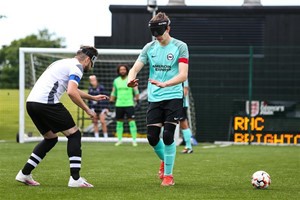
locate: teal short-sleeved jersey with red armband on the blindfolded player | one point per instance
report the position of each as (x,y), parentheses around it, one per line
(164,65)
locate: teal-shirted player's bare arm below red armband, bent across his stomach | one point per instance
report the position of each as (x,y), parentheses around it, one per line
(181,77)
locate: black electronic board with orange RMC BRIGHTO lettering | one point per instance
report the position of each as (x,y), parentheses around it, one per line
(276,122)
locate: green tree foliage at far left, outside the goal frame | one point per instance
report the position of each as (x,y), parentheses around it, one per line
(9,55)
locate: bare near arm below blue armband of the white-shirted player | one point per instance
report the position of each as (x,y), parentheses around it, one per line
(74,95)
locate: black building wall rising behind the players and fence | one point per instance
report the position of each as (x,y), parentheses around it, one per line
(219,40)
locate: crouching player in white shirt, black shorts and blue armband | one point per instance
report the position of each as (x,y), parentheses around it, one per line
(51,117)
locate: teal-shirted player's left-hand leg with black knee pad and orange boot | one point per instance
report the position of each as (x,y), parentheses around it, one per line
(154,118)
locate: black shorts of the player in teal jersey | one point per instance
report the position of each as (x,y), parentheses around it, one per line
(164,111)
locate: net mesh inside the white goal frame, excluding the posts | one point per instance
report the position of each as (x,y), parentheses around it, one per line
(35,63)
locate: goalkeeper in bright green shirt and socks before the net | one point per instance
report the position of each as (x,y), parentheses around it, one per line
(124,97)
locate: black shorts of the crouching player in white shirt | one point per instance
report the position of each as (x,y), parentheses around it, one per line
(50,117)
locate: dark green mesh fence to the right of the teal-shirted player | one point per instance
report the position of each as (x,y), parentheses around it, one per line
(220,75)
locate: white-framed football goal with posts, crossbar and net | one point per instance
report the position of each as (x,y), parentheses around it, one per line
(34,61)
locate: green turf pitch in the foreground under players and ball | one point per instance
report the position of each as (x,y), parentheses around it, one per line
(126,172)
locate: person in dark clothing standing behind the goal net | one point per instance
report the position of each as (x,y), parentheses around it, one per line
(99,107)
